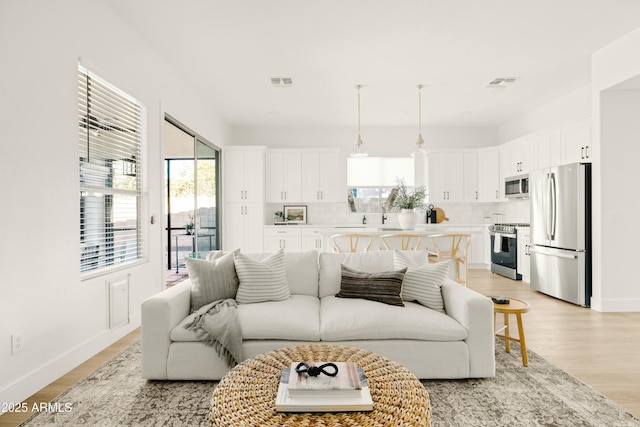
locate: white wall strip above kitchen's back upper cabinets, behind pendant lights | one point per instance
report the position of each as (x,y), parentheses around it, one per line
(378,141)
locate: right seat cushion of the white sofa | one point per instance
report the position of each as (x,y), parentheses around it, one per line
(359,319)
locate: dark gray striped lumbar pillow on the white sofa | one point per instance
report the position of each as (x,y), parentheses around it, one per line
(383,287)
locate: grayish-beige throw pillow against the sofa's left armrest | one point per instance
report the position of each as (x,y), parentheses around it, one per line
(212,280)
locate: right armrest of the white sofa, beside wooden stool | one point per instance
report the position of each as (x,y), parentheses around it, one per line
(474,311)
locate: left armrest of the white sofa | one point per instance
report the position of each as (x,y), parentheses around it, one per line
(160,314)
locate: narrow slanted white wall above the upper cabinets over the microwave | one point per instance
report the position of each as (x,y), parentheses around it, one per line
(568,108)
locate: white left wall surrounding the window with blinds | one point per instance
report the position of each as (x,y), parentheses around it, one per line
(64,319)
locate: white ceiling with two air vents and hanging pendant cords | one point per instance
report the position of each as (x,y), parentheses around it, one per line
(229,50)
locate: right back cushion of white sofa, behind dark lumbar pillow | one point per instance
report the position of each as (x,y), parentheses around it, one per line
(330,273)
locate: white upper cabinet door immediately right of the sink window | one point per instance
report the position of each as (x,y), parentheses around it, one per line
(446,177)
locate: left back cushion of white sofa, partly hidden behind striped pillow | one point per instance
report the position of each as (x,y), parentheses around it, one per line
(302,270)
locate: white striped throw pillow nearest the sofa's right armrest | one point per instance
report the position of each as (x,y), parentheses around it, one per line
(422,281)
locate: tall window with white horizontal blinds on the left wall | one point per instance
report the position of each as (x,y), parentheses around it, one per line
(110,129)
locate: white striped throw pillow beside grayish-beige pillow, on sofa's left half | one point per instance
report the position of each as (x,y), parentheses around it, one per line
(261,280)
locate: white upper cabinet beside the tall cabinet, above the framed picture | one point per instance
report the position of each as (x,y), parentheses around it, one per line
(283,177)
